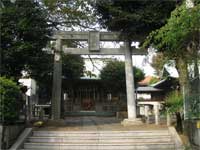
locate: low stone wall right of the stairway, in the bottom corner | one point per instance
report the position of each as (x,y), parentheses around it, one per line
(192,129)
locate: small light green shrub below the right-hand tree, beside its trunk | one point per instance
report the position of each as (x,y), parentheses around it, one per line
(174,102)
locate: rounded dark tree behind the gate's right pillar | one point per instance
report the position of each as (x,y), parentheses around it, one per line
(114,75)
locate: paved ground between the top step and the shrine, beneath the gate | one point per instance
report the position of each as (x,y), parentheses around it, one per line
(94,123)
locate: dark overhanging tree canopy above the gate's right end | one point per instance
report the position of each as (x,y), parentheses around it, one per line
(135,19)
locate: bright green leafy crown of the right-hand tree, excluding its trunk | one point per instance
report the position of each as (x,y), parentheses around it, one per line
(180,30)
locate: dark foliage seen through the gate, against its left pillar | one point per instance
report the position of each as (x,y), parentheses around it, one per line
(72,66)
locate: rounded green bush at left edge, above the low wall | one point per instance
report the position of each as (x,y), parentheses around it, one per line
(10,100)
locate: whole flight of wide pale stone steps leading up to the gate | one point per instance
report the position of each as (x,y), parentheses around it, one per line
(100,140)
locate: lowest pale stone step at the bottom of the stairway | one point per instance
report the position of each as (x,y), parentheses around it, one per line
(94,146)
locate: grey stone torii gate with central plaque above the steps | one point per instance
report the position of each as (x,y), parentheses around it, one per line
(93,38)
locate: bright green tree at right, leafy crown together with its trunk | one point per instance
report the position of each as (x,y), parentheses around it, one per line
(179,40)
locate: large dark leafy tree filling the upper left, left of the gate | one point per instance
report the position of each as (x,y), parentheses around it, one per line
(24,32)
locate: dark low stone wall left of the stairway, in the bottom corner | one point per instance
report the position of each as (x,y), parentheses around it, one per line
(9,133)
